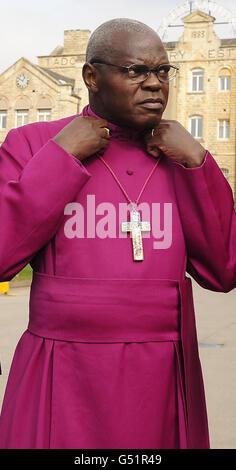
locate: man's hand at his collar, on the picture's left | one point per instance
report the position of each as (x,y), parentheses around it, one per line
(84,136)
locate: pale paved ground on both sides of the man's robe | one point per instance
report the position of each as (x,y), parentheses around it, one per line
(216,324)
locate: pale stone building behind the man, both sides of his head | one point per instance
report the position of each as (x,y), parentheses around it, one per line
(202,97)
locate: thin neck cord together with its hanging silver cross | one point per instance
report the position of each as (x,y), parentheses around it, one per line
(135,226)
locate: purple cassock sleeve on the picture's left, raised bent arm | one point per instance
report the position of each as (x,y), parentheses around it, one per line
(34,189)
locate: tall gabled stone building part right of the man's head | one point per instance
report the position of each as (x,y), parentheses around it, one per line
(203,95)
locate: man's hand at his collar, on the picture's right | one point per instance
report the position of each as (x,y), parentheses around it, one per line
(176,142)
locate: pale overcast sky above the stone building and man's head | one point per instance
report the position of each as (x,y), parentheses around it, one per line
(32,28)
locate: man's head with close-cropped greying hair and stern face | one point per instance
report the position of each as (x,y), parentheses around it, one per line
(113,94)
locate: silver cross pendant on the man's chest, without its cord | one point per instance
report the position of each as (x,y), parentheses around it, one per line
(136,227)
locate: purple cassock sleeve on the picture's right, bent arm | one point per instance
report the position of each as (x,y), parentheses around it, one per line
(206,208)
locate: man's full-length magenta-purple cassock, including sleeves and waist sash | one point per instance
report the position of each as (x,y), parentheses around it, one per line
(110,356)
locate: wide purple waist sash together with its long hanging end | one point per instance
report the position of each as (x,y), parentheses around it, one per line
(127,310)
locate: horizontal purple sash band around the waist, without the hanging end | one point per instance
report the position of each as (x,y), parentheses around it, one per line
(104,310)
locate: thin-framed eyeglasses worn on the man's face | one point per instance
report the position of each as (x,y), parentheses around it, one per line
(139,73)
